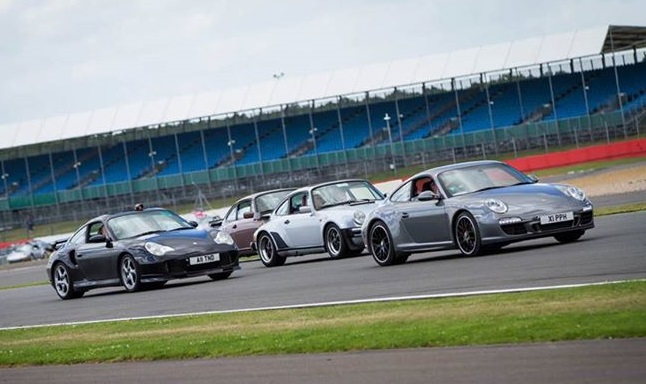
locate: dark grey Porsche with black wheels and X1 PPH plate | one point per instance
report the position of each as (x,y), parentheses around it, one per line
(475,207)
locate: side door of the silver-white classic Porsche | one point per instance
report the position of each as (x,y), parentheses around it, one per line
(301,228)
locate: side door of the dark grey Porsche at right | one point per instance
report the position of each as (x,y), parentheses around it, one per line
(424,221)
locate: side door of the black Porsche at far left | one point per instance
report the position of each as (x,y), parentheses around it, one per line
(95,258)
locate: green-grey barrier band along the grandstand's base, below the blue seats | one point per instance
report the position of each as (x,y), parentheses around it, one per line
(544,137)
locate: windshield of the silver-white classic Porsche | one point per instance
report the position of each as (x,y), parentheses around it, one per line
(344,192)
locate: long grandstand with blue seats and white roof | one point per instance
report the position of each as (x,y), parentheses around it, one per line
(568,89)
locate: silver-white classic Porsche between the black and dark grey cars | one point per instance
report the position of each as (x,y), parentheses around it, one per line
(325,217)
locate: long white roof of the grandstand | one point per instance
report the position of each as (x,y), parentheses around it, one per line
(486,58)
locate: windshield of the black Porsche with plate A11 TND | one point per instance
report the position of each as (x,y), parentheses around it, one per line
(141,223)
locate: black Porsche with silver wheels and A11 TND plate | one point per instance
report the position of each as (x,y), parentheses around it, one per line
(139,249)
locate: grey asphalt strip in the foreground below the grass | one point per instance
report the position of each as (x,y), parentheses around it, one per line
(554,363)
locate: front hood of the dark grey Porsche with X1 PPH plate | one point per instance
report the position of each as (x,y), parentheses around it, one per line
(527,198)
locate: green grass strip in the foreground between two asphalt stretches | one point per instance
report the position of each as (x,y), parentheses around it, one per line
(594,312)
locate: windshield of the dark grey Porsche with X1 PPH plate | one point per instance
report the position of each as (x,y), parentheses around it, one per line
(480,177)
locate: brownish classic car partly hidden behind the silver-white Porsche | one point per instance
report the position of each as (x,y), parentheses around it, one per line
(247,214)
